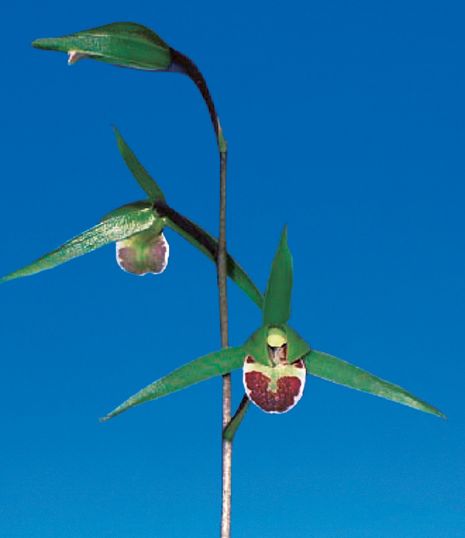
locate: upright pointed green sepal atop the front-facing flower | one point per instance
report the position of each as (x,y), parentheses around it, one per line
(277,303)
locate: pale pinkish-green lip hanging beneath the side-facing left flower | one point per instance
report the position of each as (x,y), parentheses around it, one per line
(143,253)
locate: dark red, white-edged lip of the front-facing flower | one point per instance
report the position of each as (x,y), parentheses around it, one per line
(275,389)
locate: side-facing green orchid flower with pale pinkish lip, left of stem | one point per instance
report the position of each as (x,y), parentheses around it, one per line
(137,230)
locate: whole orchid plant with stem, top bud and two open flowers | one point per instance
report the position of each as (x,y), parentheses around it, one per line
(275,360)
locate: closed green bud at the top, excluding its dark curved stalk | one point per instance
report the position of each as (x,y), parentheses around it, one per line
(124,44)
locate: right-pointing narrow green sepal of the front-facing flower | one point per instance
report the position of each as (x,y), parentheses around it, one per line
(343,373)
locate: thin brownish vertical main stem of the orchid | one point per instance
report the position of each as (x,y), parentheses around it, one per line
(222,273)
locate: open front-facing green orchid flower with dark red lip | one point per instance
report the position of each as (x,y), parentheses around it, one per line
(275,361)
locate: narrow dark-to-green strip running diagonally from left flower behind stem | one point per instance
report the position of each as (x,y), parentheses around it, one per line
(208,245)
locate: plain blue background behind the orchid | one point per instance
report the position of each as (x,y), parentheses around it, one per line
(345,120)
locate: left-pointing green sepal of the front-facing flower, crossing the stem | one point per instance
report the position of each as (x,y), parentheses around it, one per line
(212,365)
